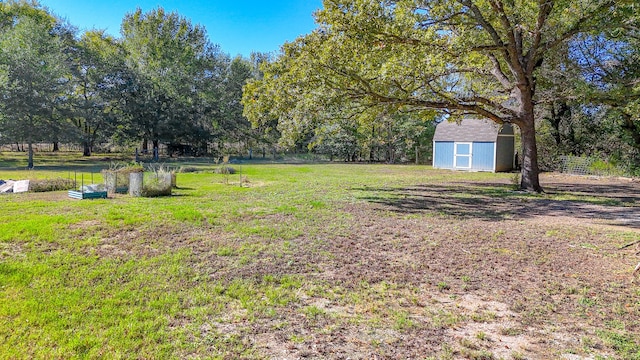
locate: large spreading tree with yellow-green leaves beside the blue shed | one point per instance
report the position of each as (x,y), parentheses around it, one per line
(459,57)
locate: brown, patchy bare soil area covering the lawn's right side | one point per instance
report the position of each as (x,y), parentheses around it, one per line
(455,271)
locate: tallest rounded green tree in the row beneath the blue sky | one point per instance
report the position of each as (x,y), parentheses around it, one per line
(174,70)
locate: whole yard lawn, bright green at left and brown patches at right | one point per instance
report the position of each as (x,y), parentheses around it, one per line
(322,261)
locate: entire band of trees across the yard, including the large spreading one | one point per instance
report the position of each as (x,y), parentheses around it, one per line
(369,83)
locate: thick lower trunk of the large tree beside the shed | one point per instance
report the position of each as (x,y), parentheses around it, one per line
(530,172)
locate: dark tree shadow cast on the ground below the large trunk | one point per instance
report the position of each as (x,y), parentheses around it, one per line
(615,204)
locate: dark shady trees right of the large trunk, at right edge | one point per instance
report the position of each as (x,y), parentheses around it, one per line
(588,90)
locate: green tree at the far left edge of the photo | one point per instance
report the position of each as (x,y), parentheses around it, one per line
(33,75)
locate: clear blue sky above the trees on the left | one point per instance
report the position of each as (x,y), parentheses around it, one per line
(238,26)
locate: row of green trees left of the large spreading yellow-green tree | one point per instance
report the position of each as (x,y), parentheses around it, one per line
(161,82)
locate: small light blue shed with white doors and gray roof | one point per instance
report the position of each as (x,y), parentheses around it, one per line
(474,145)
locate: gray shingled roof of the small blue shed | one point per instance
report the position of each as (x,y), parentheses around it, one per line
(471,130)
